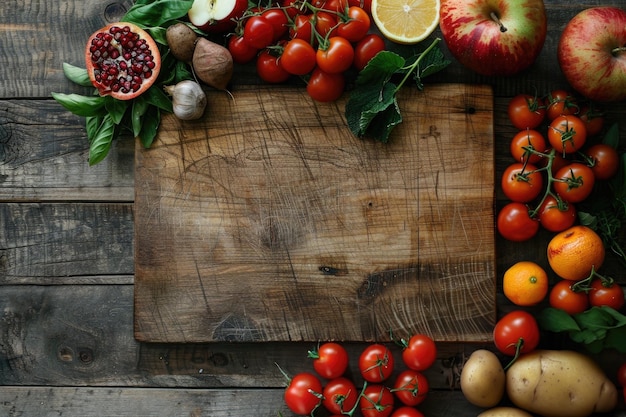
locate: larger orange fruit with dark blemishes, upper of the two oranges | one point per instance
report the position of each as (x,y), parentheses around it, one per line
(574,252)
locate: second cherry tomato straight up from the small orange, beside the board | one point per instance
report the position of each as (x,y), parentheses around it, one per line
(521,183)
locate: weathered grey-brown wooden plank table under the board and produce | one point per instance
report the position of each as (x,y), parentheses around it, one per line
(67,246)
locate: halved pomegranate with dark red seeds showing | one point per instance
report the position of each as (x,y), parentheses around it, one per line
(122,60)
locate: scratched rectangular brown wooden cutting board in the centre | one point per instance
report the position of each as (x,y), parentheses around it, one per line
(267,220)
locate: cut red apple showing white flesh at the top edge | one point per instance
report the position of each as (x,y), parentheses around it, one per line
(216,16)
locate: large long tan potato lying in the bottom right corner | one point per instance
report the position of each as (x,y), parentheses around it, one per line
(560,383)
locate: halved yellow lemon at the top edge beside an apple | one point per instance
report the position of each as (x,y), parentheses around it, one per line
(406,21)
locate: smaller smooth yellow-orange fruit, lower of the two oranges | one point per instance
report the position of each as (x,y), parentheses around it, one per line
(525,283)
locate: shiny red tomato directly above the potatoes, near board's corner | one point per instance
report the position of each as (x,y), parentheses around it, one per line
(516,327)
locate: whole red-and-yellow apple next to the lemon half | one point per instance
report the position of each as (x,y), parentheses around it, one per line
(494,37)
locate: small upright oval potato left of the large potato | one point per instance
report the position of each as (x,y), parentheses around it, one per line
(482,379)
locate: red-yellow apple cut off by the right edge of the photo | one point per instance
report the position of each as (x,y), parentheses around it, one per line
(592,53)
